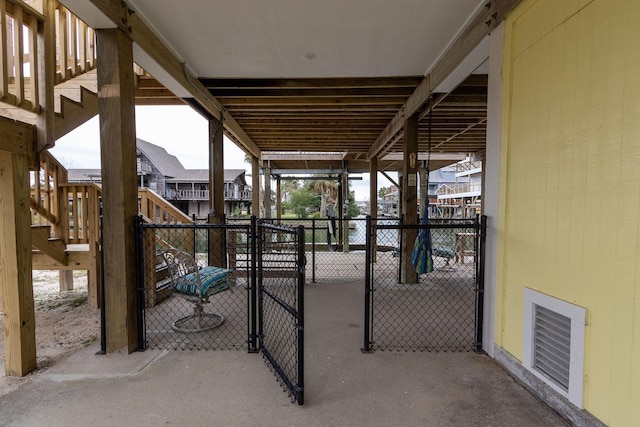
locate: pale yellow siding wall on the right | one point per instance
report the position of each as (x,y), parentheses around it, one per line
(570,179)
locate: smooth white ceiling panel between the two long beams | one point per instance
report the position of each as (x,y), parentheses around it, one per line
(307,38)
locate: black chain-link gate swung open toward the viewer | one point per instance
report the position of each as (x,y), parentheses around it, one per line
(281,264)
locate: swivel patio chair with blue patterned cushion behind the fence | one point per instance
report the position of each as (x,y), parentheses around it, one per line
(196,284)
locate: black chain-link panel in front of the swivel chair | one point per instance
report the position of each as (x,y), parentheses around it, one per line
(225,245)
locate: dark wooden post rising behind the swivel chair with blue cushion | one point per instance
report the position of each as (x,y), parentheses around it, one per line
(216,194)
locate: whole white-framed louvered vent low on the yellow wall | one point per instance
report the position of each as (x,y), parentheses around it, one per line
(553,343)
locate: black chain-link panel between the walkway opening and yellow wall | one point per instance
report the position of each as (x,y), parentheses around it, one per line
(437,311)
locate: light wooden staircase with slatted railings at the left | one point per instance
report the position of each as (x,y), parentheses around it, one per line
(48,72)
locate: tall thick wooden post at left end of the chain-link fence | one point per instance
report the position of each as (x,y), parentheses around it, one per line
(116,106)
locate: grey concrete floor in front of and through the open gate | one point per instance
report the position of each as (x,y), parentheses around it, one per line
(343,387)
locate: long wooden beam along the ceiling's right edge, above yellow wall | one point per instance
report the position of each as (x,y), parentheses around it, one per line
(488,19)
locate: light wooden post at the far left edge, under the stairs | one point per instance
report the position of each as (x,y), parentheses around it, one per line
(15,265)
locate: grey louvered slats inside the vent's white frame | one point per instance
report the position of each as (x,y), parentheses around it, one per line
(552,345)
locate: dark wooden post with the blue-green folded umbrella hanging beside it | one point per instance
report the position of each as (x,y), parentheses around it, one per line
(409,195)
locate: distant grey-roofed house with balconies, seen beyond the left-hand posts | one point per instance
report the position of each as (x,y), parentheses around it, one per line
(187,189)
